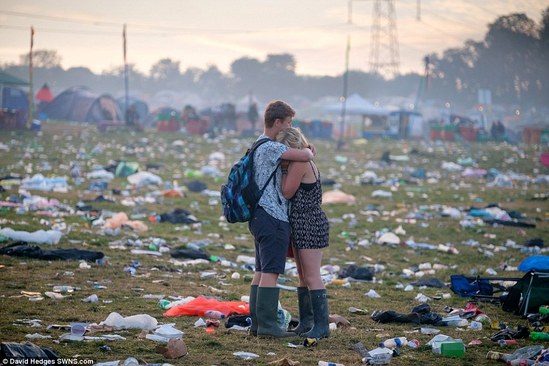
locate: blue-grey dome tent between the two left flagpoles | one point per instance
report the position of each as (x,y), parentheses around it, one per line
(81,104)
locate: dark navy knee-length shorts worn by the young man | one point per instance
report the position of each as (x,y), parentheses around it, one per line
(271,238)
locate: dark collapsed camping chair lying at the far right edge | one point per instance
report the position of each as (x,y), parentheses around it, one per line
(528,294)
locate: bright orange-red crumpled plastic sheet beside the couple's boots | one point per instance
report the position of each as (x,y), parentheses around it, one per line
(198,306)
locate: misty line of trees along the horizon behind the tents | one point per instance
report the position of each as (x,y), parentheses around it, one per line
(512,61)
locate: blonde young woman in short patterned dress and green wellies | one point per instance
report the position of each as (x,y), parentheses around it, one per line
(309,231)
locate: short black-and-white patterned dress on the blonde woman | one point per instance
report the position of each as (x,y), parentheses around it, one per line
(309,224)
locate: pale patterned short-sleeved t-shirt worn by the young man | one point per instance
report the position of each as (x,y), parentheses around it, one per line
(266,158)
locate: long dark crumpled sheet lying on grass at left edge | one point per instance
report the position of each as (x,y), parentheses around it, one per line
(22,249)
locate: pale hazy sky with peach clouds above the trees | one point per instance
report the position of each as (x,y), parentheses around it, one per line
(201,33)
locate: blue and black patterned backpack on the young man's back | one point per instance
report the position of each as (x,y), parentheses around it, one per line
(240,195)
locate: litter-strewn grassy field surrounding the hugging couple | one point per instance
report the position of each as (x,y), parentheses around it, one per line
(352,233)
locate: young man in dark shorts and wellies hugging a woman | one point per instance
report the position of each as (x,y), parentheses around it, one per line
(269,225)
